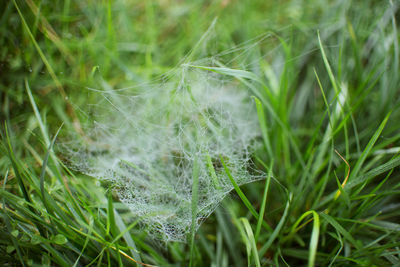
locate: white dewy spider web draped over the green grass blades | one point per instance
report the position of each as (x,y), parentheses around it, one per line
(145,143)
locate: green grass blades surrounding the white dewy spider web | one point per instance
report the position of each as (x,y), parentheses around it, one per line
(324,76)
